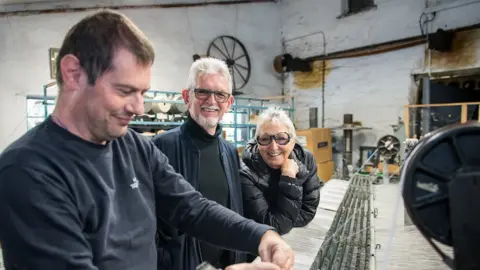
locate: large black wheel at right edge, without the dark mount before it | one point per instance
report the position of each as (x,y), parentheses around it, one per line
(428,171)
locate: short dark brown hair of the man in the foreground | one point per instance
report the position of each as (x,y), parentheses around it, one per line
(95,39)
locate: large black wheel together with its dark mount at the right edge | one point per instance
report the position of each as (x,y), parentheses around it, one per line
(441,192)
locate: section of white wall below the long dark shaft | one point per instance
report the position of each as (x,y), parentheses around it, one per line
(372,88)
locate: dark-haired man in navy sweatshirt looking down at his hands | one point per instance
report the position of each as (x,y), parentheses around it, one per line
(82,191)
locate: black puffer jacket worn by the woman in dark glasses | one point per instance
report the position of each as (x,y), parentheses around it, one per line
(276,200)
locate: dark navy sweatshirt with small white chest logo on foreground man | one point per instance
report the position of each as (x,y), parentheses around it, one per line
(67,203)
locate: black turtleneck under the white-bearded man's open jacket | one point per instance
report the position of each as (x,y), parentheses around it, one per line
(212,181)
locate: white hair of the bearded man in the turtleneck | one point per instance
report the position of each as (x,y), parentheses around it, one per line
(208,65)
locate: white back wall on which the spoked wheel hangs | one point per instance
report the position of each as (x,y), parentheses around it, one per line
(177,34)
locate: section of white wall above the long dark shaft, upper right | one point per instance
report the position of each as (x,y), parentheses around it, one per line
(391,20)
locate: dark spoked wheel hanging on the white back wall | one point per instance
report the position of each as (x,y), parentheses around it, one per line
(233,52)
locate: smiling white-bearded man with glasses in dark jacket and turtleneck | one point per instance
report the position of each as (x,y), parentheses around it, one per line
(210,163)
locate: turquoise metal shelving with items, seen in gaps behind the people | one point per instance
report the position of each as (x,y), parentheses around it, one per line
(165,110)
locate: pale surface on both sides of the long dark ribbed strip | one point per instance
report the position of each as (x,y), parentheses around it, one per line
(409,249)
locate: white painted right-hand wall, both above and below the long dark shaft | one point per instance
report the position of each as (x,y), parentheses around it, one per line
(373,88)
